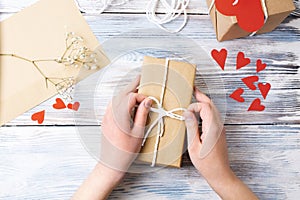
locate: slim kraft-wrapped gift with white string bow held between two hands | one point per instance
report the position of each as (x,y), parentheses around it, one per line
(169,84)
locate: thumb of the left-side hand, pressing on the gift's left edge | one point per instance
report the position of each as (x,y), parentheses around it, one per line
(140,118)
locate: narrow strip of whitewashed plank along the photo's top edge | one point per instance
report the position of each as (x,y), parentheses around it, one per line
(132,6)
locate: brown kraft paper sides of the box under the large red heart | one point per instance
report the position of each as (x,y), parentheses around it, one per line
(227,28)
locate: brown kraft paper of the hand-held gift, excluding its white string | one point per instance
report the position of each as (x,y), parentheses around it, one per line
(178,94)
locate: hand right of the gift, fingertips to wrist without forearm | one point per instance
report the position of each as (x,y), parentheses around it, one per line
(208,151)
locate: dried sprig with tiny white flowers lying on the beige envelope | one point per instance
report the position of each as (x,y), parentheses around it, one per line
(75,55)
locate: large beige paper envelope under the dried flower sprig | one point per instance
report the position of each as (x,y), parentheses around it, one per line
(39,32)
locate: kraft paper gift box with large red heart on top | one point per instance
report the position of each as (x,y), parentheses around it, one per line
(242,18)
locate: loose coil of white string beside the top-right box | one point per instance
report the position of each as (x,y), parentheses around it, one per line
(173,10)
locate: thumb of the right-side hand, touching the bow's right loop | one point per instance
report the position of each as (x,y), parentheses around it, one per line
(193,136)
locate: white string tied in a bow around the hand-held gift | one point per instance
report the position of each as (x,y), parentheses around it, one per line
(159,121)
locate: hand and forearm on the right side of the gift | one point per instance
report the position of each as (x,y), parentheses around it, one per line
(208,150)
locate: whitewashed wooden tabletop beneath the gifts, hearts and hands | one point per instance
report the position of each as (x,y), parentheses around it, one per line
(49,161)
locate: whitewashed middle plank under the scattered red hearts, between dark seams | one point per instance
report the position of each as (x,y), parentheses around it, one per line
(282,102)
